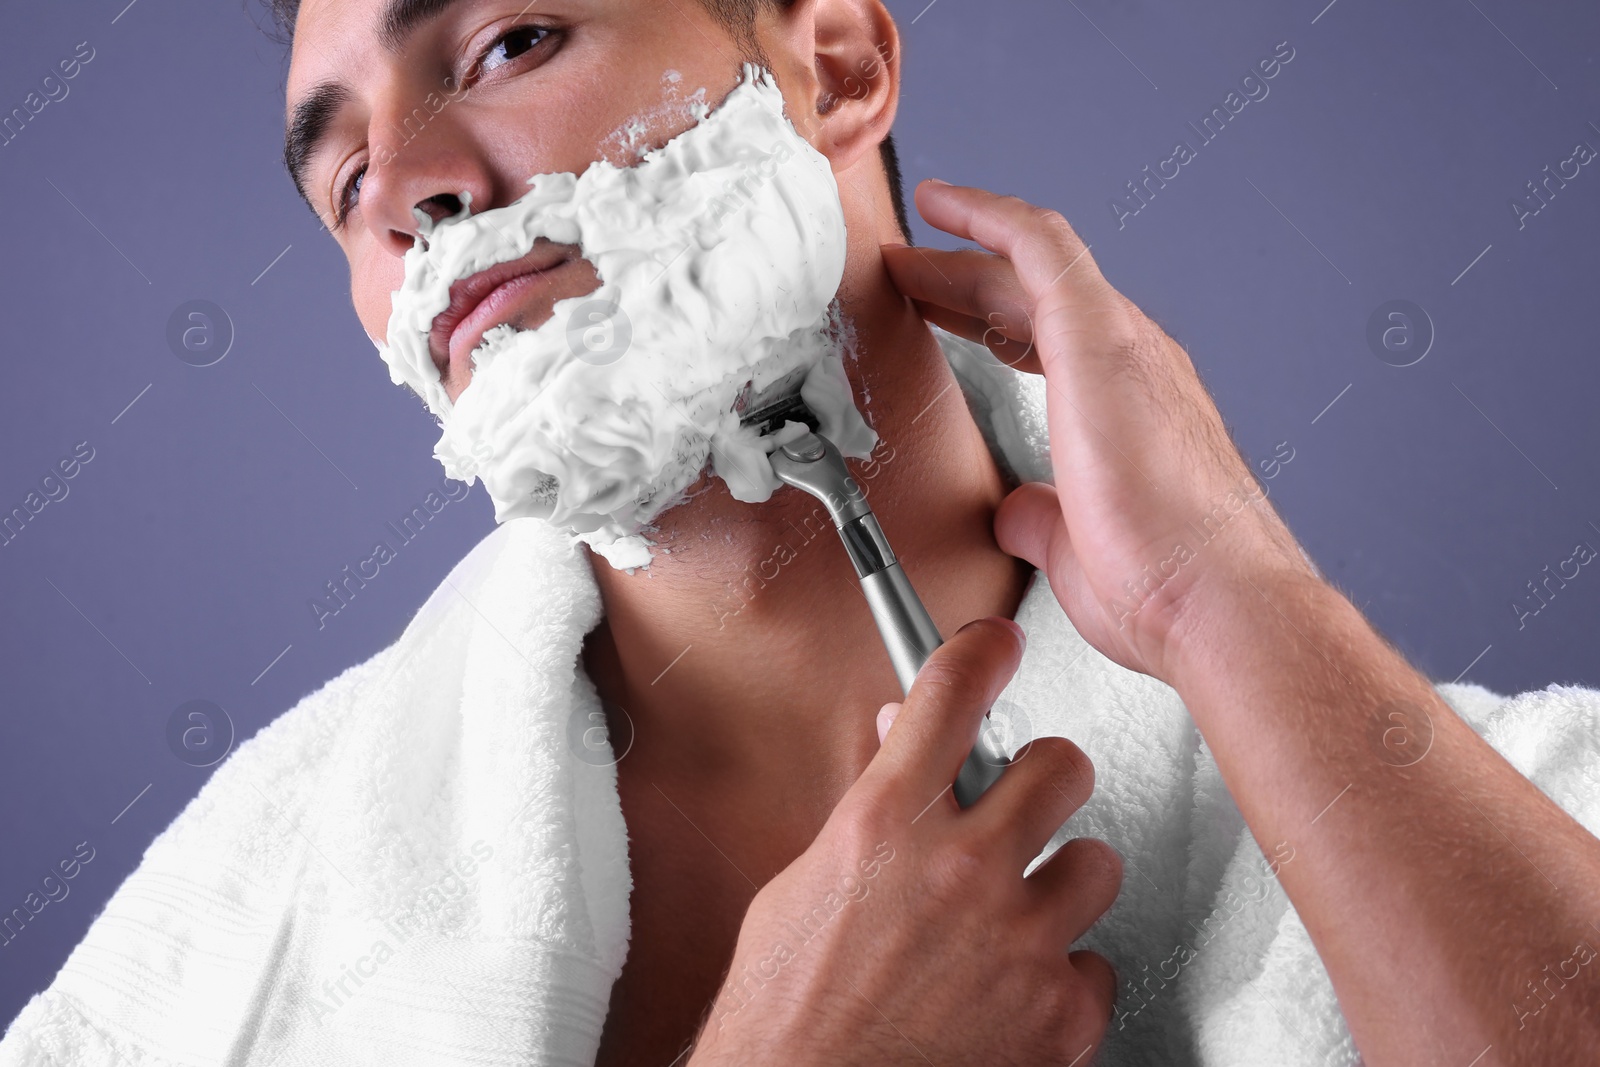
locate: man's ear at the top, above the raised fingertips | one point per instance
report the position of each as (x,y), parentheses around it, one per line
(857,70)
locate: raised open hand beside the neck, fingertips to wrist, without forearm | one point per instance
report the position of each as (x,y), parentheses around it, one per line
(1151,503)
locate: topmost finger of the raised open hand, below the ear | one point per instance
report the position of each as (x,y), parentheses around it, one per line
(1042,246)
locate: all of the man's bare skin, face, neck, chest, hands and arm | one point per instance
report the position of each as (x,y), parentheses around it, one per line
(750,794)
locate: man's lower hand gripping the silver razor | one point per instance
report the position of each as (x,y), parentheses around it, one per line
(906,933)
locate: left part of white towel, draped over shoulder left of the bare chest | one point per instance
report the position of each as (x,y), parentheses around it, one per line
(409,868)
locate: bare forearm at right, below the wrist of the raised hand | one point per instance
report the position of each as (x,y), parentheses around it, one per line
(1436,887)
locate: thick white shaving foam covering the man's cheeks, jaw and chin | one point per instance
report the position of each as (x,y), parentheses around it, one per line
(719,257)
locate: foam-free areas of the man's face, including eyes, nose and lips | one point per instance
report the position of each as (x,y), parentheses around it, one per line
(434,98)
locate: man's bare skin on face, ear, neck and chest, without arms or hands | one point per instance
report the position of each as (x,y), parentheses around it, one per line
(718,810)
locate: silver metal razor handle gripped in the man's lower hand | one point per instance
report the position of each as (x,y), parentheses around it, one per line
(814,465)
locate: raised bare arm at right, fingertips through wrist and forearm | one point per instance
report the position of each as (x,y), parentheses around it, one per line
(1438,892)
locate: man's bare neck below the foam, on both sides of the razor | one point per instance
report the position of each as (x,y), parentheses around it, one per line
(746,660)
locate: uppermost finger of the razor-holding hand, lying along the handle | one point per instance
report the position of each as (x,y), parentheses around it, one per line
(938,719)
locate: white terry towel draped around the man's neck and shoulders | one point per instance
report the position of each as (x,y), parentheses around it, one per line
(426,861)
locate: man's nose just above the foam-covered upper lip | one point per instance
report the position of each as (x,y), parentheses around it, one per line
(420,161)
